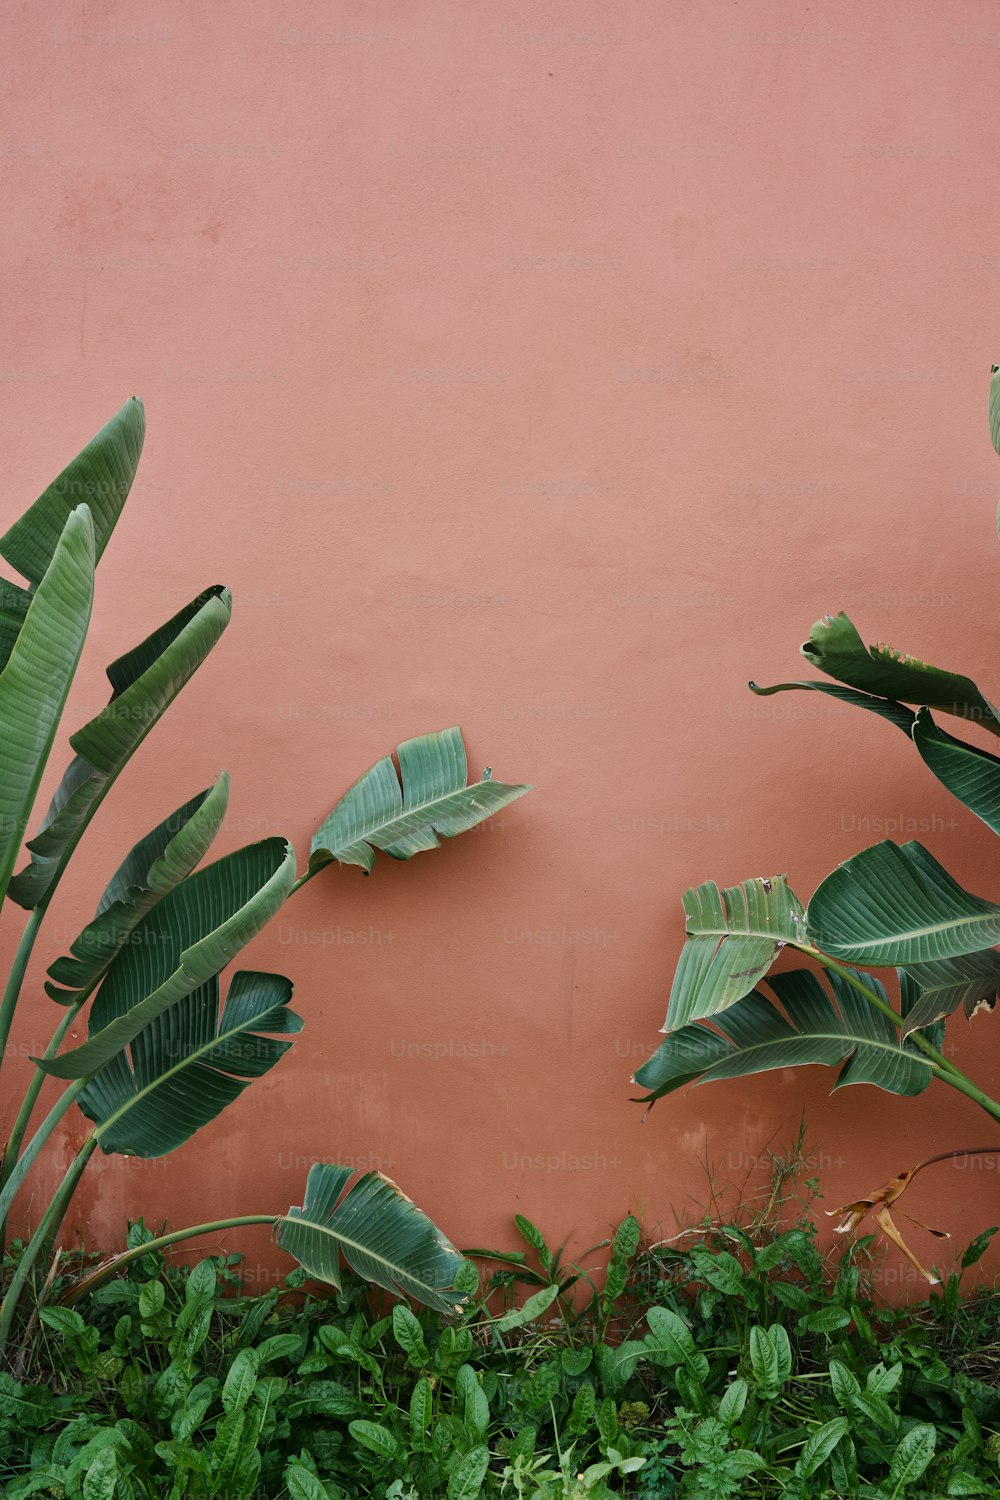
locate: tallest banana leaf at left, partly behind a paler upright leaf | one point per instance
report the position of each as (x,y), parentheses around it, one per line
(101,478)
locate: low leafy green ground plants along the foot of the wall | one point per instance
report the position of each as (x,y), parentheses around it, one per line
(731,1361)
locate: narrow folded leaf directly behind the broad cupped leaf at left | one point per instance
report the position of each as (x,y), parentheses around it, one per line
(154,868)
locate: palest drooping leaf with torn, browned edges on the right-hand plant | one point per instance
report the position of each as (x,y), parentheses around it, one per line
(734,938)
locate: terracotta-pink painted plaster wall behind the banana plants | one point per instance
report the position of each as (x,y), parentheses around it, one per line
(548,368)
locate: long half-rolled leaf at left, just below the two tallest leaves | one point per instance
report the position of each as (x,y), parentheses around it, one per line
(145,685)
